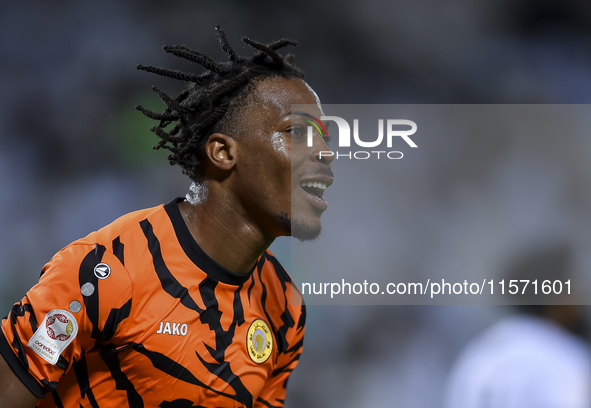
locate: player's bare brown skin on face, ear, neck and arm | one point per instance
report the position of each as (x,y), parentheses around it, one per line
(253,190)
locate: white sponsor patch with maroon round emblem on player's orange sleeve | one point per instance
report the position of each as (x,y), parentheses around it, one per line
(57,330)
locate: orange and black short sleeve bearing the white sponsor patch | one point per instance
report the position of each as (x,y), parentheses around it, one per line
(81,301)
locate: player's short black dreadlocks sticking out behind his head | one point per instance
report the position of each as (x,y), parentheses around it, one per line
(208,102)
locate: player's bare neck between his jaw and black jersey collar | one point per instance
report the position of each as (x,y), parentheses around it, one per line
(223,232)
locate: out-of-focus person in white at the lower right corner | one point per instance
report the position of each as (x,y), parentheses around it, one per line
(534,359)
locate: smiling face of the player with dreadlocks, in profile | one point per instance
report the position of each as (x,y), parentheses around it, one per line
(275,165)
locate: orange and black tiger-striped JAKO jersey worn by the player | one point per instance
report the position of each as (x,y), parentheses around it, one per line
(136,314)
